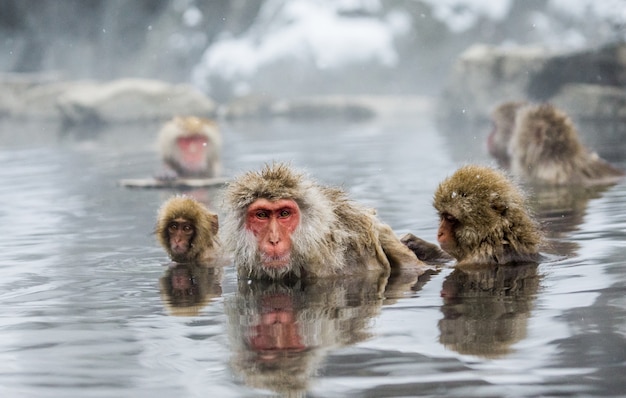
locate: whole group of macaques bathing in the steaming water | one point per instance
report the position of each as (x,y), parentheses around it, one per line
(279,223)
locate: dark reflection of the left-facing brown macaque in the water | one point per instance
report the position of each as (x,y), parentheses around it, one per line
(486,307)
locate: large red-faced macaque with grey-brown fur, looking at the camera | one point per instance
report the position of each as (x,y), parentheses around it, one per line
(279,223)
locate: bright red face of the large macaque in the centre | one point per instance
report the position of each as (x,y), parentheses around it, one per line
(272,223)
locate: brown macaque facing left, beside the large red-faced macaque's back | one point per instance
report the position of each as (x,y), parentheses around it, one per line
(484,219)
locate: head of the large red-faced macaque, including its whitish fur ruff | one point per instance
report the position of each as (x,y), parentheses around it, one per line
(278,223)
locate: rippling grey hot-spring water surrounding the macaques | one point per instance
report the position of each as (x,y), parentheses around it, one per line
(86,312)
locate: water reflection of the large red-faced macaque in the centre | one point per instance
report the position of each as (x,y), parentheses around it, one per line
(281,334)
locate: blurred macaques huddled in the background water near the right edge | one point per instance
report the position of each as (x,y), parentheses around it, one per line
(544,147)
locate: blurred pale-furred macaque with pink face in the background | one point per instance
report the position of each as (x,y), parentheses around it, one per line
(191,147)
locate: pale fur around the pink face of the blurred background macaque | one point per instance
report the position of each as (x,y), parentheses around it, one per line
(182,126)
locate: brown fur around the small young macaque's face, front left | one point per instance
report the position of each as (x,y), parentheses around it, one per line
(204,243)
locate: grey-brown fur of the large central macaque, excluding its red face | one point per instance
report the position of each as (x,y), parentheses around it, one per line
(335,236)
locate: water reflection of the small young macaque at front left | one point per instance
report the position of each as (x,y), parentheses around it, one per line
(187,288)
